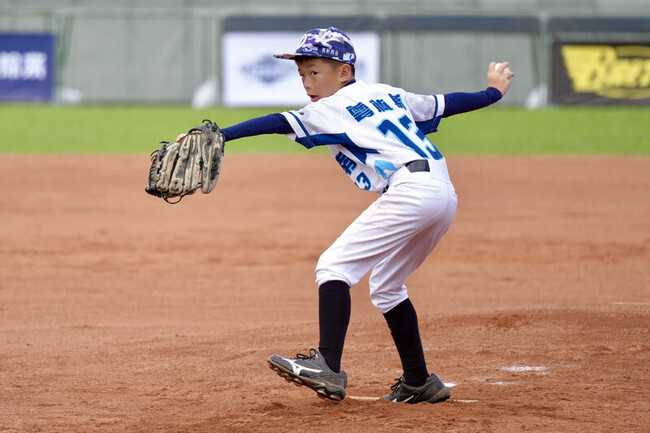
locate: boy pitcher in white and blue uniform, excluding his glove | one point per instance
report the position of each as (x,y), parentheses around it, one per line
(377,134)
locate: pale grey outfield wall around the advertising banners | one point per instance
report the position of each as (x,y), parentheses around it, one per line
(161,51)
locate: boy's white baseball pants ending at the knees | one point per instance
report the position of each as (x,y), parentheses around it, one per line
(392,237)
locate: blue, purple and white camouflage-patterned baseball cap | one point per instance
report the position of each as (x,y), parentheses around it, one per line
(330,43)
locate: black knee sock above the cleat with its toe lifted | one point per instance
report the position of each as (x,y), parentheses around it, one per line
(334,307)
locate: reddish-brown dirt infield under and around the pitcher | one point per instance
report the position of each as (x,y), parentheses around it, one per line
(120,313)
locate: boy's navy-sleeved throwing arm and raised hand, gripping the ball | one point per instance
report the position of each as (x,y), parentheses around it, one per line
(499,75)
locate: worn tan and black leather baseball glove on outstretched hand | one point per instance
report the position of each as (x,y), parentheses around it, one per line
(181,167)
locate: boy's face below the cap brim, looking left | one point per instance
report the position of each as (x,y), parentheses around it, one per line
(320,79)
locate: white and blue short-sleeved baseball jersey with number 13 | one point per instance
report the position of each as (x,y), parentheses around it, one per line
(372,130)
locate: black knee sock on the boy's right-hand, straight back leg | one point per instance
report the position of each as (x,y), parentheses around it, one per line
(403,323)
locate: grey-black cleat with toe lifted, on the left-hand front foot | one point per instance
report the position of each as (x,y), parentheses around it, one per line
(312,371)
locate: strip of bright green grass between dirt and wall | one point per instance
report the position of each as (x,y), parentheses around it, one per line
(46,129)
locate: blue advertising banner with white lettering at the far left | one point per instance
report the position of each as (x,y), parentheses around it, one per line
(26,67)
